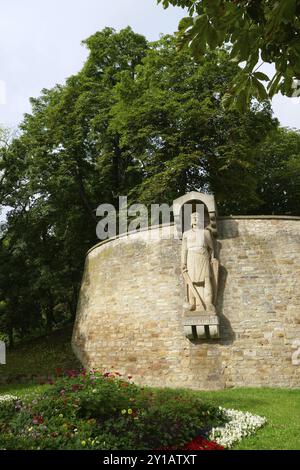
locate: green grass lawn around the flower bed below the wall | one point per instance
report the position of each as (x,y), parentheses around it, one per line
(281,407)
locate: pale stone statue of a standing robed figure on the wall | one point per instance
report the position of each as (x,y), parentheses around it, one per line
(199,267)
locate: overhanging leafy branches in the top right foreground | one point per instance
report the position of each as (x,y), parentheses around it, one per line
(257,31)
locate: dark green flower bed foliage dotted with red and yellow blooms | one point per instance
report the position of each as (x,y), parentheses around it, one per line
(92,411)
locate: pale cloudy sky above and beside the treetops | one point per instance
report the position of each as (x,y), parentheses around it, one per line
(40,45)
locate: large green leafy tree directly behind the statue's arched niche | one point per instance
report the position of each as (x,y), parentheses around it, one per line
(171,119)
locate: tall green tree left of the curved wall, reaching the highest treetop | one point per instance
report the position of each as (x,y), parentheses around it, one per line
(54,175)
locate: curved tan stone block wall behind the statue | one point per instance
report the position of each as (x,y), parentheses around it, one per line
(130,310)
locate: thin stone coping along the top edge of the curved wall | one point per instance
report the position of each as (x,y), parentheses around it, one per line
(227,217)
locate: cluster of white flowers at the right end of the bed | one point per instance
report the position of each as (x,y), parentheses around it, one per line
(240,425)
